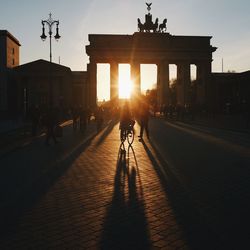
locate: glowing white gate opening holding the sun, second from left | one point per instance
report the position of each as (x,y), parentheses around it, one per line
(125,83)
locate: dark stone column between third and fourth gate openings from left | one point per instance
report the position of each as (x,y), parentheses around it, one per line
(163,83)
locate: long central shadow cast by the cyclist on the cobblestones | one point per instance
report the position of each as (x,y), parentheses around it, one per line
(125,225)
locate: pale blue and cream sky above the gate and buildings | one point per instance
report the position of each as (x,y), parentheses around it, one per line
(226,21)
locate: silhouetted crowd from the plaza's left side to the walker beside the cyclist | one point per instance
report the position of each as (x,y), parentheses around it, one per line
(49,120)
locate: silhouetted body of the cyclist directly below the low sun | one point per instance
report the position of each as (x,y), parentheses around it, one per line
(126,119)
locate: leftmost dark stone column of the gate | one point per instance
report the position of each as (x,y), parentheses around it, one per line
(92,71)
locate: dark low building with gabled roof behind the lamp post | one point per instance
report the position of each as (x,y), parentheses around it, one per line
(40,83)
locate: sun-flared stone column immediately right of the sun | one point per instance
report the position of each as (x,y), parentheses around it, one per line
(136,78)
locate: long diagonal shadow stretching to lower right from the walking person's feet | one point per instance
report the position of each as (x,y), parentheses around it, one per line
(196,232)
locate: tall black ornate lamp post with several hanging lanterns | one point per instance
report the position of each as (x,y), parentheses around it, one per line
(50,23)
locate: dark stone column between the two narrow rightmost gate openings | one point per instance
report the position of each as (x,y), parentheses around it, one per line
(183,83)
